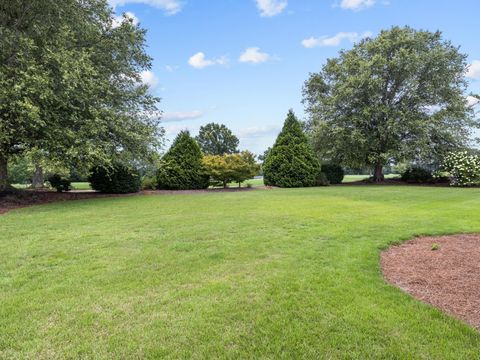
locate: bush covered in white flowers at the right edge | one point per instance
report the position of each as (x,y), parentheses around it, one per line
(463,167)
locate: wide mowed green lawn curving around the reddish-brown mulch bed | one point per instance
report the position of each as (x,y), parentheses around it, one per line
(257,274)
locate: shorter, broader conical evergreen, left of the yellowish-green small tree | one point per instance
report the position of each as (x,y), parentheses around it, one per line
(181,167)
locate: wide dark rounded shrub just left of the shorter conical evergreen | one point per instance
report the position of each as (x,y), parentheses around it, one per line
(120,179)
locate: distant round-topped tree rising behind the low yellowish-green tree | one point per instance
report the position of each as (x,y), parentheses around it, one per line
(217,139)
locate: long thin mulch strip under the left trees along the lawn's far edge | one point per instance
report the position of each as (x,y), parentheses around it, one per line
(25,198)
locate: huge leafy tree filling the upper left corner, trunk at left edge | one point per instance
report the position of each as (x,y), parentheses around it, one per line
(70,83)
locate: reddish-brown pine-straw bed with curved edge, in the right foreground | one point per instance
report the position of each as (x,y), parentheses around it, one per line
(447,278)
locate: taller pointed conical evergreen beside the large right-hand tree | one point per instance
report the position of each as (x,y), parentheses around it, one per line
(291,162)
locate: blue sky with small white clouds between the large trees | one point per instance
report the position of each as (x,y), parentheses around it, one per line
(243,62)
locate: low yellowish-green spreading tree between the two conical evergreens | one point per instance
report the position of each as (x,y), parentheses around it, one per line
(231,167)
